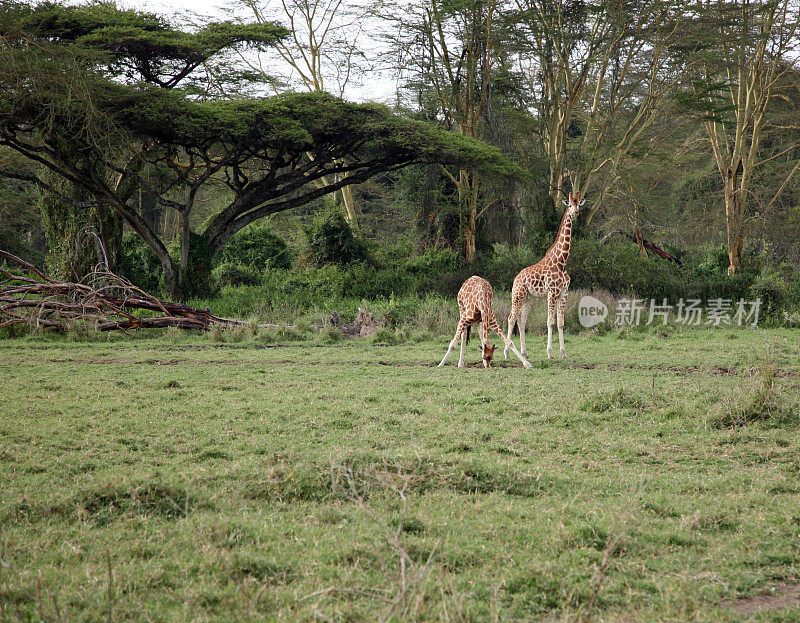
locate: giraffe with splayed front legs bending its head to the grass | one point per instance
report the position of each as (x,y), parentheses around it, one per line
(475,305)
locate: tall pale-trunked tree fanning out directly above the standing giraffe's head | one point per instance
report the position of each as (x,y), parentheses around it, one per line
(600,76)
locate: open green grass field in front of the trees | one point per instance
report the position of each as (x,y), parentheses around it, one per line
(649,477)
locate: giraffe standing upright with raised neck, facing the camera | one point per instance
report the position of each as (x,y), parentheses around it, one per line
(546,278)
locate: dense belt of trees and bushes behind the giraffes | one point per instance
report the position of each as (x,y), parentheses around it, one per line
(679,122)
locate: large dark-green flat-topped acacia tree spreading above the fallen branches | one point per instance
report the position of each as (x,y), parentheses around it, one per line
(103,135)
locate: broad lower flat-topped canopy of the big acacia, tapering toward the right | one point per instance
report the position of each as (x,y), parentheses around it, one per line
(268,152)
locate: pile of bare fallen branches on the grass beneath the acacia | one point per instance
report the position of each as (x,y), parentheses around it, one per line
(102,301)
